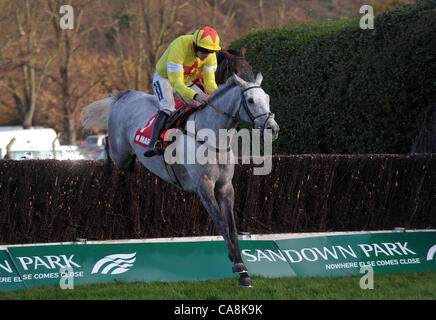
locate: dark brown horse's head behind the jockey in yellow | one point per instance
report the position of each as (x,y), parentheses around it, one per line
(230,62)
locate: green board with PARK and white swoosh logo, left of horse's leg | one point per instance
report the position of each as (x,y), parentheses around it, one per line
(93,263)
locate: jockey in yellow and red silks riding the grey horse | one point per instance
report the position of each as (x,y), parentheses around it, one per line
(182,62)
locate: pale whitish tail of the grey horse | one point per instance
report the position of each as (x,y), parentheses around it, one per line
(96,114)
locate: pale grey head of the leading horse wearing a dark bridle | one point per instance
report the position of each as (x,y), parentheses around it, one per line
(255,108)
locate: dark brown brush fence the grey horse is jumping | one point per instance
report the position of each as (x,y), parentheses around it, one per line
(49,200)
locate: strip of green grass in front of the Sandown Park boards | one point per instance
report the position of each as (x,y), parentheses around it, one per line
(413,286)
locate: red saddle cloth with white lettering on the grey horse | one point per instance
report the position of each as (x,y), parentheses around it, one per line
(177,119)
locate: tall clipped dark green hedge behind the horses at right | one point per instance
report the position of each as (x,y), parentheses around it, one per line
(336,88)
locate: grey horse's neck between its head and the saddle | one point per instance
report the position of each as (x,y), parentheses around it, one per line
(209,118)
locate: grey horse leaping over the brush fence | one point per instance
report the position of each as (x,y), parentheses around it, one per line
(235,101)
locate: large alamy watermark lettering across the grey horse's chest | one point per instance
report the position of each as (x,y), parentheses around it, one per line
(207,146)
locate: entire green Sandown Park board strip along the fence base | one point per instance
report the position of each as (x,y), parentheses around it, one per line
(326,256)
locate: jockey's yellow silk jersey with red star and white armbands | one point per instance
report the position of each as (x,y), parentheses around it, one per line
(180,64)
